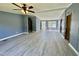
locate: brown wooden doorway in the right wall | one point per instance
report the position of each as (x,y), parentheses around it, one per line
(68,25)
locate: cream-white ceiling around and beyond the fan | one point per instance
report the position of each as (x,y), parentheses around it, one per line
(39,8)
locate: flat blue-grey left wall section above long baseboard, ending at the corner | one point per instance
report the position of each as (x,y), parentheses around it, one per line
(10,24)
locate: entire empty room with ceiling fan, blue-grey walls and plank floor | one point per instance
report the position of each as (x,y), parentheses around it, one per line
(39,29)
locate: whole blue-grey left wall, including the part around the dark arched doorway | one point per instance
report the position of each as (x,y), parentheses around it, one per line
(11,24)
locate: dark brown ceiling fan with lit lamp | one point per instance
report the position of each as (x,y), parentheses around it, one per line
(24,8)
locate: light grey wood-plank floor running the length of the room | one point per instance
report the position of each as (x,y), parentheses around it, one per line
(48,43)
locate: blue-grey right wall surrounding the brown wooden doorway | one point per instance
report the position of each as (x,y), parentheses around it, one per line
(74,30)
